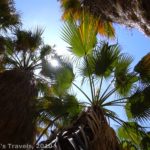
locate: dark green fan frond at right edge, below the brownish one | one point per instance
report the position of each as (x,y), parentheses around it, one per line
(138,105)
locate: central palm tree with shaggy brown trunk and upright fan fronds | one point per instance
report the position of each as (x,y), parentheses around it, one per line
(107,72)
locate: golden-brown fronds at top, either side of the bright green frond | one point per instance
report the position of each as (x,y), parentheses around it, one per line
(73,9)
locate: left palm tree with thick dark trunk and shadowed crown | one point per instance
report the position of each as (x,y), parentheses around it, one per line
(18,86)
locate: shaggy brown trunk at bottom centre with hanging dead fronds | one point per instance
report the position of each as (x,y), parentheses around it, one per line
(89,132)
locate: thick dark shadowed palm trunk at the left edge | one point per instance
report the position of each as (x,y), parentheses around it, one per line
(17,95)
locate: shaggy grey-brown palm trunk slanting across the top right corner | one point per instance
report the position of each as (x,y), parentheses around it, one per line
(132,13)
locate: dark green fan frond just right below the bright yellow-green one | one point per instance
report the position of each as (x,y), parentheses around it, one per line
(102,60)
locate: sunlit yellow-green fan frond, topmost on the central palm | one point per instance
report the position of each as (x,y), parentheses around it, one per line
(81,36)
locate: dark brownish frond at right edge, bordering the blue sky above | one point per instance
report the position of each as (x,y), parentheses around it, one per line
(143,68)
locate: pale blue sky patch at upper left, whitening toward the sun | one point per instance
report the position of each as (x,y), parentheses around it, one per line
(45,14)
